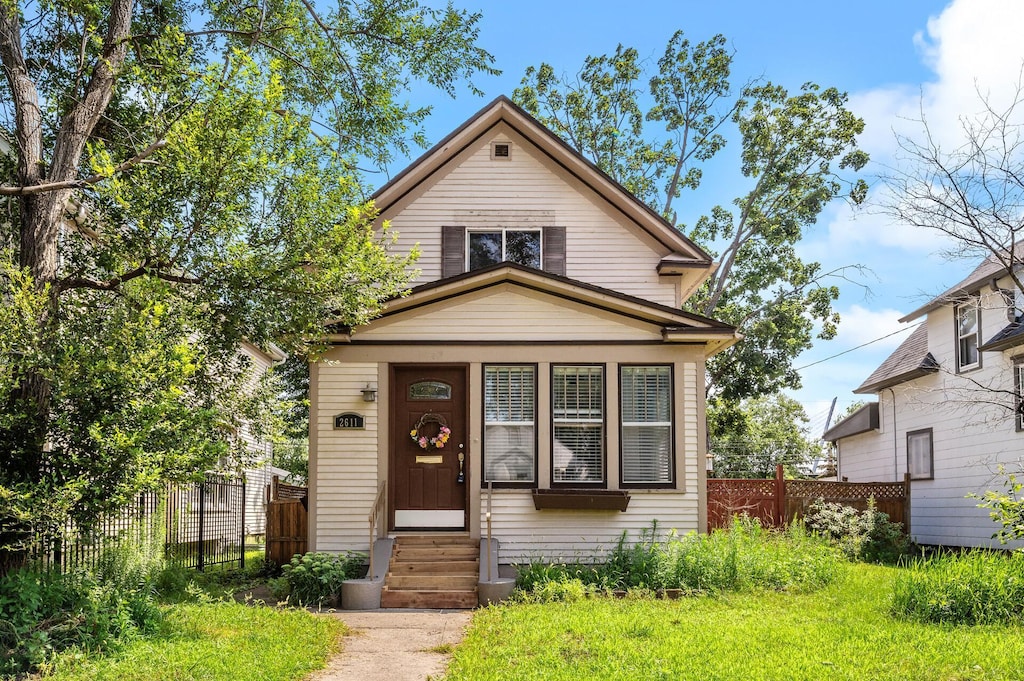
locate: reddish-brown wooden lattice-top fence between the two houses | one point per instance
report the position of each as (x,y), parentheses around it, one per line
(778,502)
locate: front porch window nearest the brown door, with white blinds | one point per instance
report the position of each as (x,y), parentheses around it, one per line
(509,427)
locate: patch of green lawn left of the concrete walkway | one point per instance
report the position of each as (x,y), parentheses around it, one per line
(214,642)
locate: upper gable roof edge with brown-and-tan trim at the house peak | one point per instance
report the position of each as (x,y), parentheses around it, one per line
(685,252)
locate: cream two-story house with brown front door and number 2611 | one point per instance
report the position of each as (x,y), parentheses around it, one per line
(542,347)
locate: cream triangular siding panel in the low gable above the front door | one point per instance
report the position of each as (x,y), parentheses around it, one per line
(507,313)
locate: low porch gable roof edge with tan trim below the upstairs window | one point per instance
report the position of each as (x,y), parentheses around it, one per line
(677,326)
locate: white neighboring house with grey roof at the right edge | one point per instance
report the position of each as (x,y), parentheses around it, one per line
(948,410)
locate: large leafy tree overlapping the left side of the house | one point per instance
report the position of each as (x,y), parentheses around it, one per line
(182,177)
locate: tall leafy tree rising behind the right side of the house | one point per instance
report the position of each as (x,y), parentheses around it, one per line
(654,139)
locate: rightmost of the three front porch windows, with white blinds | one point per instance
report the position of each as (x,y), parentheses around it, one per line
(647,425)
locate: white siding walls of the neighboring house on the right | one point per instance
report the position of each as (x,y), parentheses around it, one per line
(971,436)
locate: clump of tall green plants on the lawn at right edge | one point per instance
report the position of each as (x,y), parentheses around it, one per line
(973,588)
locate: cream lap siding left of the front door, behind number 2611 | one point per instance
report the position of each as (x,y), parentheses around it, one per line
(347,460)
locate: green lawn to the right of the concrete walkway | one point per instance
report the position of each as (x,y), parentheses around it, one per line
(841,632)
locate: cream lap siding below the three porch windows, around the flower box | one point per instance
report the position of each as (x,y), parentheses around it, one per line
(526,534)
